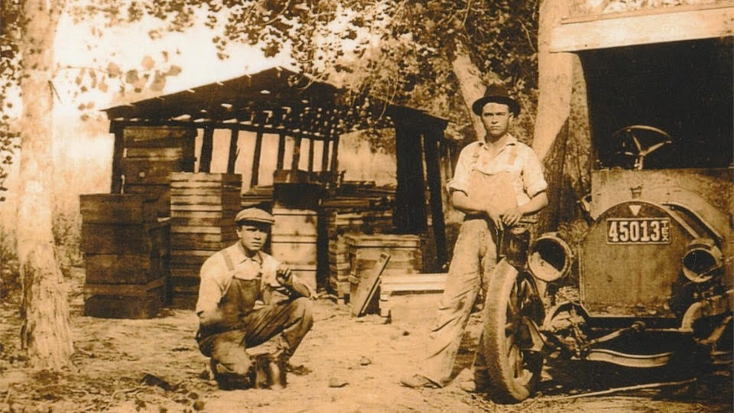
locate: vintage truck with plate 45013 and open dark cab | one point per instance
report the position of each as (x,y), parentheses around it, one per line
(652,279)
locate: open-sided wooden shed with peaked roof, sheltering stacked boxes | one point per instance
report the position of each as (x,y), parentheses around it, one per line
(163,142)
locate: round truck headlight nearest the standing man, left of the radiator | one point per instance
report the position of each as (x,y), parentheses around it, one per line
(550,257)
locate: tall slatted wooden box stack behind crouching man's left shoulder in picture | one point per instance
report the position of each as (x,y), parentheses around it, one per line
(203,208)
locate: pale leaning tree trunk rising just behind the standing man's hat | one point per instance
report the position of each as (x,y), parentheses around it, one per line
(470,81)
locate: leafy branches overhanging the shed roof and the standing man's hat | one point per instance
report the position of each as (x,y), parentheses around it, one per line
(399,51)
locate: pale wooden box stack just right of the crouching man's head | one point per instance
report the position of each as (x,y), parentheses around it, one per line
(294,241)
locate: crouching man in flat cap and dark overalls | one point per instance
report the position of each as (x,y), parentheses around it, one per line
(247,297)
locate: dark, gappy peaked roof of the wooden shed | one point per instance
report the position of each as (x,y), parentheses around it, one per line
(275,98)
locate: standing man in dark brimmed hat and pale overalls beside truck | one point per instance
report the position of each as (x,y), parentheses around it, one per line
(497,181)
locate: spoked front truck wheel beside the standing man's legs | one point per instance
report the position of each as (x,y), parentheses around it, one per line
(512,299)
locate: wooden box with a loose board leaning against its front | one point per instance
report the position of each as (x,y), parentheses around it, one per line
(406,257)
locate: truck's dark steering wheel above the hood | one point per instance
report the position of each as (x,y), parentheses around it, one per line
(636,142)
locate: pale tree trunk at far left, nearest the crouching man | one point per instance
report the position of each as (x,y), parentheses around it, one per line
(45,333)
